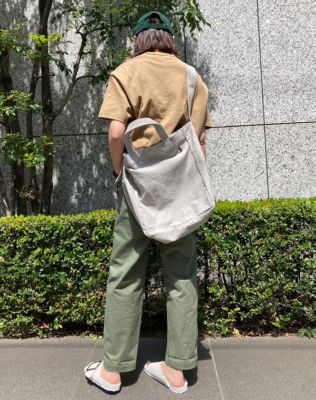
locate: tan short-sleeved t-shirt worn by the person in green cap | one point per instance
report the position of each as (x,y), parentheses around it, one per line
(154,85)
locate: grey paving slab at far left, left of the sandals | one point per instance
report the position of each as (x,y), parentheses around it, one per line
(42,369)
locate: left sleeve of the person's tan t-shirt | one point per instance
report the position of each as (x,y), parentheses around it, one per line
(116,104)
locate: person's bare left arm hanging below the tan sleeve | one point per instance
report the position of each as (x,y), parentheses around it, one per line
(116,143)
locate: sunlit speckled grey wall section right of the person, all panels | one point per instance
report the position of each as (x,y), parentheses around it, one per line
(259,62)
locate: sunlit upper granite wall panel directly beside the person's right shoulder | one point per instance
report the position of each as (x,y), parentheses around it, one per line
(227,57)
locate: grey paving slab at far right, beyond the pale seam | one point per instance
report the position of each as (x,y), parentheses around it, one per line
(265,368)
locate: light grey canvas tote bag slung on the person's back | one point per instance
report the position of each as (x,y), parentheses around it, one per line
(166,185)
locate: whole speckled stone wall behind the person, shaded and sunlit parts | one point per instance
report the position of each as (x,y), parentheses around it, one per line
(258,60)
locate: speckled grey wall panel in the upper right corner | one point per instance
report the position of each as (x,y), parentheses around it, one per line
(288,35)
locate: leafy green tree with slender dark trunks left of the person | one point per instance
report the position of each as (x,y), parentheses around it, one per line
(101,22)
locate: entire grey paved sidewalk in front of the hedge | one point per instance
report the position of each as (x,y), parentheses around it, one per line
(245,368)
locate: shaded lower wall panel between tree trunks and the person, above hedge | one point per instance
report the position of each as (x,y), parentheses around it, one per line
(83,179)
